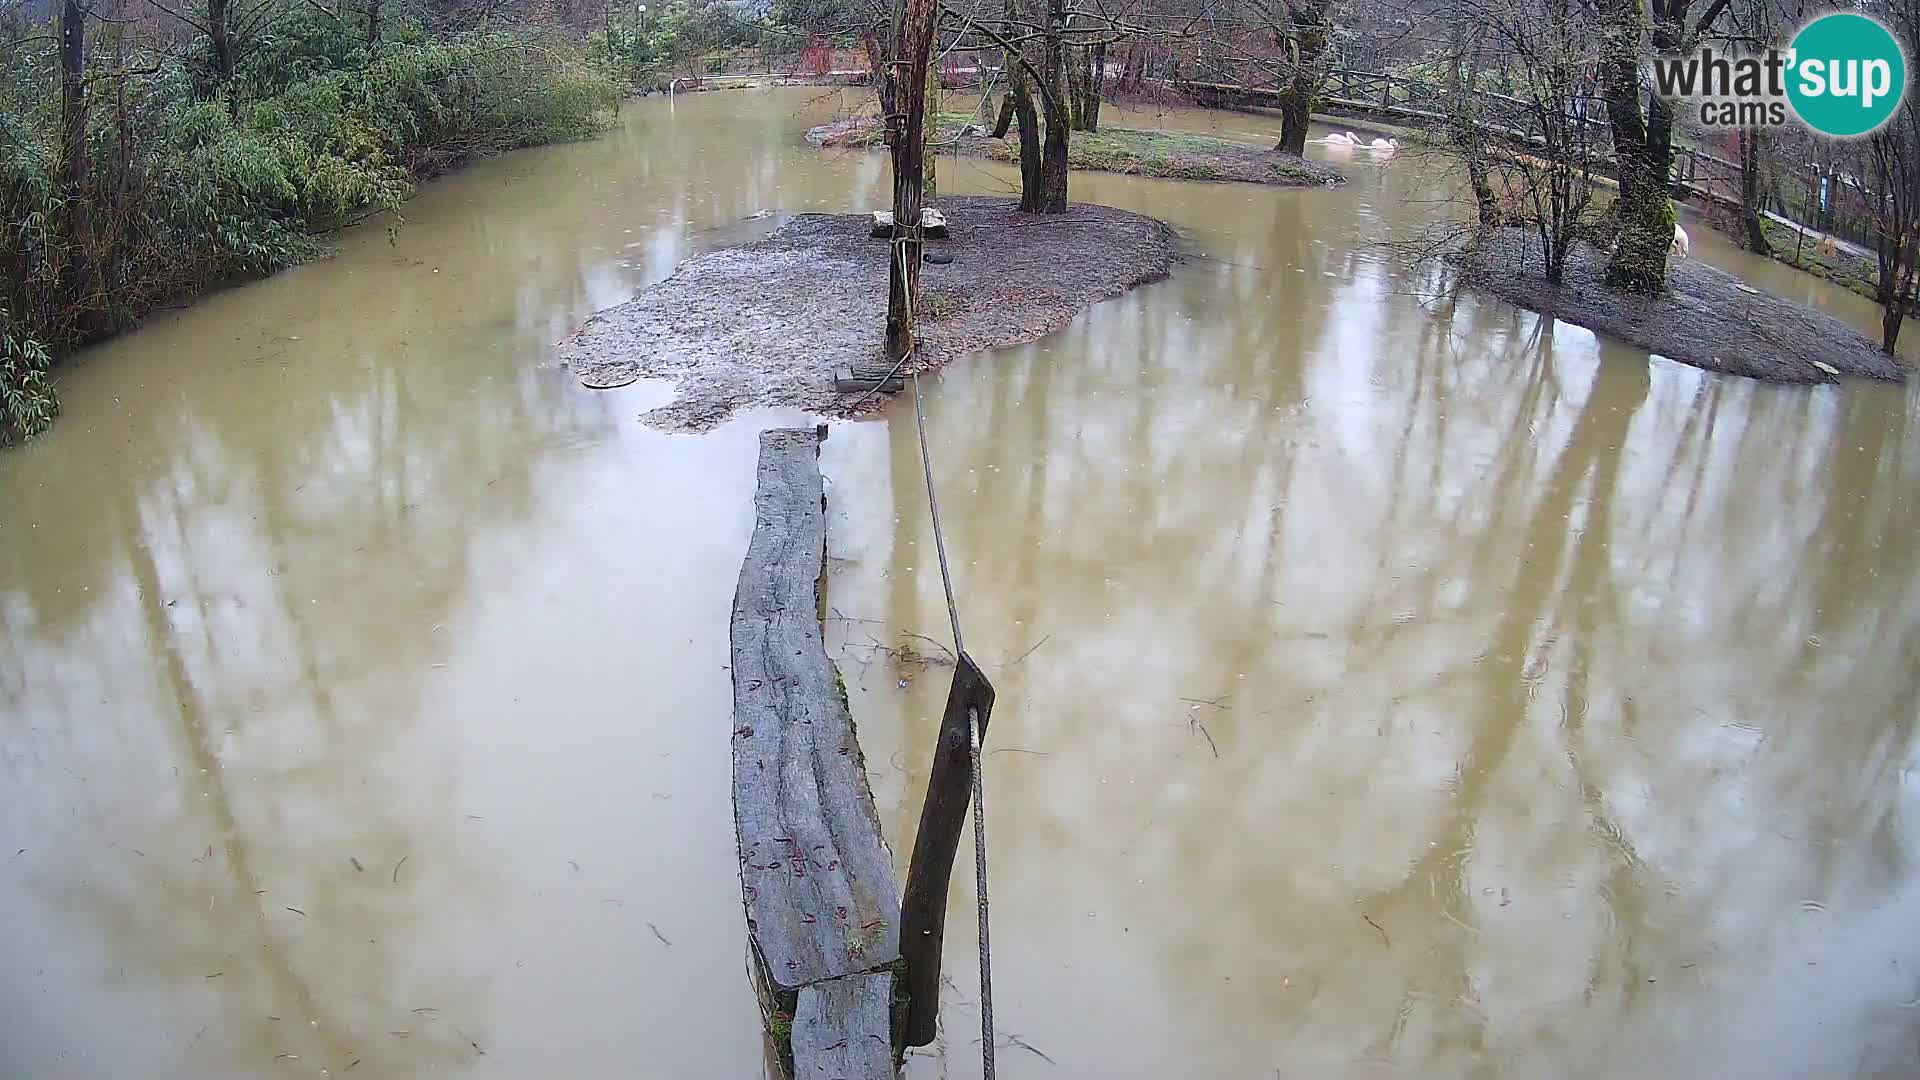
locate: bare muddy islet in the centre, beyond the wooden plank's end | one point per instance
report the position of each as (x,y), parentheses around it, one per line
(769,322)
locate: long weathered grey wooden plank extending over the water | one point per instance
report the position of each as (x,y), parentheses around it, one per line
(815,870)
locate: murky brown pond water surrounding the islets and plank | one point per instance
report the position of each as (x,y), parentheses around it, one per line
(1385,685)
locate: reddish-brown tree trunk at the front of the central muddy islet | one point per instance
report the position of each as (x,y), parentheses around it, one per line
(913,49)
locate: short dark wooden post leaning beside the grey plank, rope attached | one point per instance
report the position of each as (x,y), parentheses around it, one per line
(949,793)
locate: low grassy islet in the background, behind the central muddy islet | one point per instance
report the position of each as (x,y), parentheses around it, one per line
(1174,155)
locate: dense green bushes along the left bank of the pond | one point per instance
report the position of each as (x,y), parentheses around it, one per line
(189,187)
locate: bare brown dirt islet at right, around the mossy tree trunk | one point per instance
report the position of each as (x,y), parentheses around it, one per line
(1708,318)
